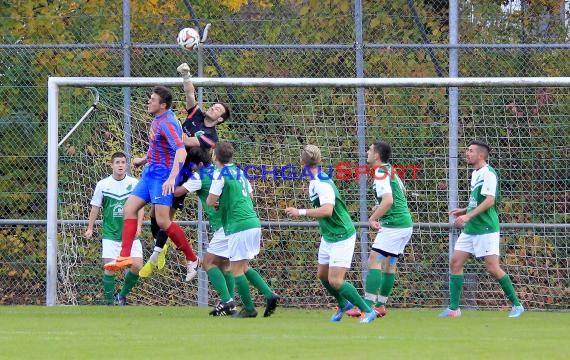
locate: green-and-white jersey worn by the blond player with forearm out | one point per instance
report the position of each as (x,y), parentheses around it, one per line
(339,226)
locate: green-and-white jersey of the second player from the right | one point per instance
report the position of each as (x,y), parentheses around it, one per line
(398,216)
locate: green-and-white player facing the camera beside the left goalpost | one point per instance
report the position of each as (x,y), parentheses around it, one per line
(110,195)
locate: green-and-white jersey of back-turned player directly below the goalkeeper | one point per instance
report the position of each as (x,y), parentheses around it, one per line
(235,205)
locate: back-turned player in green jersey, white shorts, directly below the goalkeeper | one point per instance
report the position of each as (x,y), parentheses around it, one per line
(230,193)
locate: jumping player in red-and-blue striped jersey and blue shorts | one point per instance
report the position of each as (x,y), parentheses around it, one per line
(165,158)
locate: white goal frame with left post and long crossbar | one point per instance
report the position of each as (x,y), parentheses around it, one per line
(54,83)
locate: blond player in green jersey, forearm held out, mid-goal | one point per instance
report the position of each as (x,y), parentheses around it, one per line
(338,237)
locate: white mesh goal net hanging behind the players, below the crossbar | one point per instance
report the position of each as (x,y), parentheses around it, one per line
(527,128)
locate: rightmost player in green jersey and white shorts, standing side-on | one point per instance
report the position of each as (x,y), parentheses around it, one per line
(480,236)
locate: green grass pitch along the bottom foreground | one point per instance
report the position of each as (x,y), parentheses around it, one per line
(141,332)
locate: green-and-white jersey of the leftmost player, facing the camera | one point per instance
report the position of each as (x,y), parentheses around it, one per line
(110,195)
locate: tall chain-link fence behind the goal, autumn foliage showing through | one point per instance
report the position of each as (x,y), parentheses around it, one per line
(528,128)
